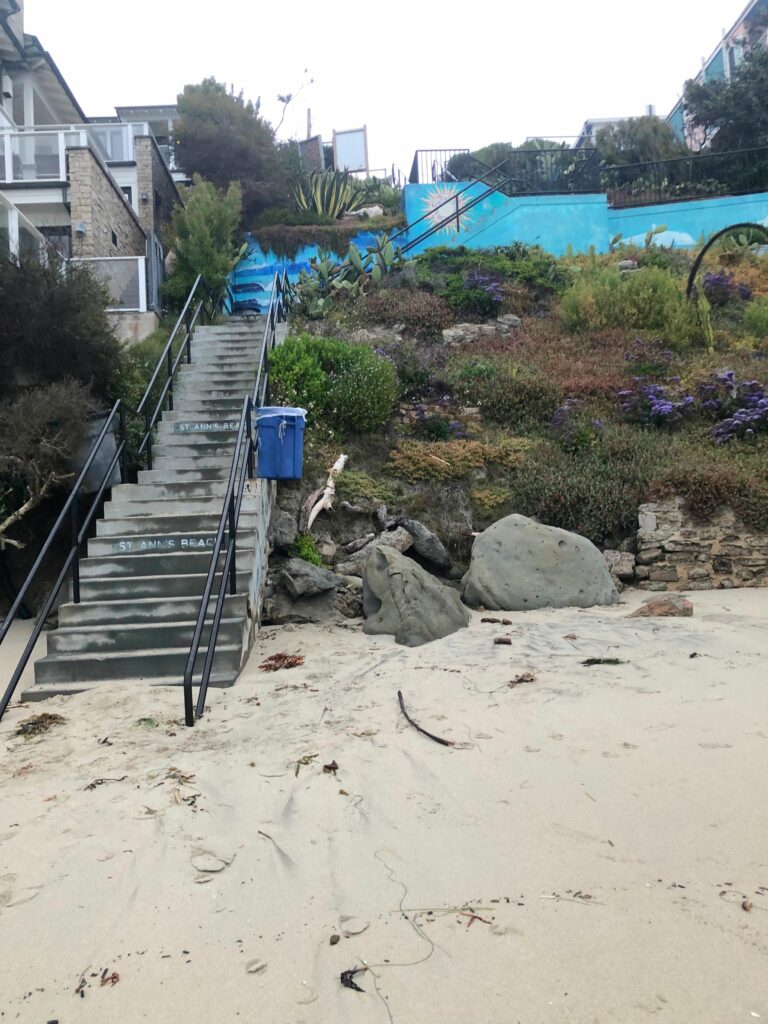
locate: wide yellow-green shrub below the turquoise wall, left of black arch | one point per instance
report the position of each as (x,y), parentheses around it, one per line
(646,301)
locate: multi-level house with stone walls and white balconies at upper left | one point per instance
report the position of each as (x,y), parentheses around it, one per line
(98,191)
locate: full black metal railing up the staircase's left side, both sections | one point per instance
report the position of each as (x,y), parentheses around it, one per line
(74,518)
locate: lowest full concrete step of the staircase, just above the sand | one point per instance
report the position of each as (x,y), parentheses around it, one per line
(147,665)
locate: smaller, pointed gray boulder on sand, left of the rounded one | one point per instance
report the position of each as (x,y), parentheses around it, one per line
(402,600)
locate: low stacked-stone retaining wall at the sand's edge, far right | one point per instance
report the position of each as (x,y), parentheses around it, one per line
(675,552)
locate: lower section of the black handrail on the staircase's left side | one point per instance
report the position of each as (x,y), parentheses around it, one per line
(69,519)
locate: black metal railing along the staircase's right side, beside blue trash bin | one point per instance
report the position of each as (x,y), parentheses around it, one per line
(243,467)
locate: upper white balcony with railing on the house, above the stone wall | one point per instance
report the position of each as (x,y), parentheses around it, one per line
(39,154)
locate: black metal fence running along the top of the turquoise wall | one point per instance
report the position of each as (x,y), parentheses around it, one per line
(567,172)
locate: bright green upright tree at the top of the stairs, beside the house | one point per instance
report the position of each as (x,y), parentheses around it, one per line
(203,236)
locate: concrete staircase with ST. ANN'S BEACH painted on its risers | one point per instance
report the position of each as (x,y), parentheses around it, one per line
(146,569)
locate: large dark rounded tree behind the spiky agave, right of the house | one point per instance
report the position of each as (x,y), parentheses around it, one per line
(223,138)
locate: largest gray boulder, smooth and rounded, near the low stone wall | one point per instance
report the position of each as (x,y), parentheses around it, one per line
(519,565)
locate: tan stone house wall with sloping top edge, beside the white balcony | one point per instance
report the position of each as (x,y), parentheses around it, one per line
(97,202)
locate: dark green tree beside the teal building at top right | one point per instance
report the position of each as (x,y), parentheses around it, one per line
(733,114)
